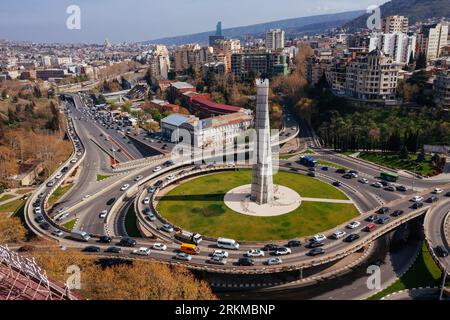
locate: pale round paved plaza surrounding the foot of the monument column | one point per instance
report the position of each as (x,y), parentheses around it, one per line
(285,200)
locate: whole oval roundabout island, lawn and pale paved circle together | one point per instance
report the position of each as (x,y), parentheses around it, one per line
(212,206)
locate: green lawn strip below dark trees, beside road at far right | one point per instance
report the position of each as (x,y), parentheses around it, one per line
(394,161)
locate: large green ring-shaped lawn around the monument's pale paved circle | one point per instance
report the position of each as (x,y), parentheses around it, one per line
(198,206)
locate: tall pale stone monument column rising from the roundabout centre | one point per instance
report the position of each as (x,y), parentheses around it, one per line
(262,179)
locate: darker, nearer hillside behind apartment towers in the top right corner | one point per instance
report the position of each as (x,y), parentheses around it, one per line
(415,10)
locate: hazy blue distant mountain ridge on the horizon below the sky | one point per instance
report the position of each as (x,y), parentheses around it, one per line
(293,27)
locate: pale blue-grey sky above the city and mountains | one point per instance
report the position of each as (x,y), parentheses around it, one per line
(141,20)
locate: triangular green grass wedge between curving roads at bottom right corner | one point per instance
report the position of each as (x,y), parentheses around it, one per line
(423,273)
